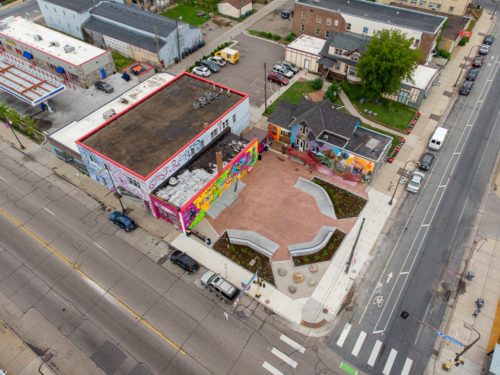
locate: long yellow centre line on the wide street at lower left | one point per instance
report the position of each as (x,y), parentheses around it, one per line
(77,268)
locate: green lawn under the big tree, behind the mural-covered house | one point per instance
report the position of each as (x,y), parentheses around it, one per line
(390,113)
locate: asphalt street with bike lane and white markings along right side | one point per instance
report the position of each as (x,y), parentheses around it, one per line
(417,261)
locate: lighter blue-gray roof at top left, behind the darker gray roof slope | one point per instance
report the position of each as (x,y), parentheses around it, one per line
(135,18)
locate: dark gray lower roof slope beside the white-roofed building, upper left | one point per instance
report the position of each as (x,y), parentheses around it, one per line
(147,42)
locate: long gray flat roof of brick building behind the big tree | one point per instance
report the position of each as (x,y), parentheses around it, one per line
(391,15)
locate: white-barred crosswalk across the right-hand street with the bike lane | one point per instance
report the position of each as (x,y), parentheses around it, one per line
(368,348)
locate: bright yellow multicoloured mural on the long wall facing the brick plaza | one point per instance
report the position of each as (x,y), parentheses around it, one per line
(195,210)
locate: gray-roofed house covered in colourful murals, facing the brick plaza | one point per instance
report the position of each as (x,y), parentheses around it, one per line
(320,134)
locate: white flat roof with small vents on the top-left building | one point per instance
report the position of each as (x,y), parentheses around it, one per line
(51,42)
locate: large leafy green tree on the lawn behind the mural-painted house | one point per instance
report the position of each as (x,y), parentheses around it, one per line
(387,61)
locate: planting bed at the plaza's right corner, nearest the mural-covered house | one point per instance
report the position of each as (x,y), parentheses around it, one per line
(345,203)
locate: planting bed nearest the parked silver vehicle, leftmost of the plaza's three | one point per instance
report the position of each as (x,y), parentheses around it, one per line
(242,255)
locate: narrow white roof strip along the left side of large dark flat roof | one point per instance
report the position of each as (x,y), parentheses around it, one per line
(77,129)
